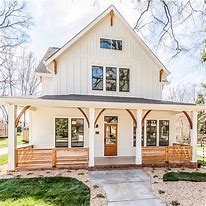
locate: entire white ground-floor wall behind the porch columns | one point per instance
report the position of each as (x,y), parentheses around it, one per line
(43,130)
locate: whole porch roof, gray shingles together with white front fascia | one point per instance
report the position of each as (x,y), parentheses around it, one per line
(112,102)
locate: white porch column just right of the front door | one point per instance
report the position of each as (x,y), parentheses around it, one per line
(138,159)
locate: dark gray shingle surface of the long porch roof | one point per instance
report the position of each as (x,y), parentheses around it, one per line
(96,98)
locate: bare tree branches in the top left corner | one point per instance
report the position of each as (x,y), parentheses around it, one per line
(14,23)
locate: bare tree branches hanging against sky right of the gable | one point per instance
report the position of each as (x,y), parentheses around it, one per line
(177,25)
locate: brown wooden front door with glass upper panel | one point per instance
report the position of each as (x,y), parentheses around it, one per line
(110,139)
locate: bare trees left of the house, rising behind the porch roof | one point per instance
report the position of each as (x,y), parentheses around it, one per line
(17,77)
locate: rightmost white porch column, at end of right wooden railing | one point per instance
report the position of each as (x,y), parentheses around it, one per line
(193,135)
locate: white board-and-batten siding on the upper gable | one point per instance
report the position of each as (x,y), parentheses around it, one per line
(74,66)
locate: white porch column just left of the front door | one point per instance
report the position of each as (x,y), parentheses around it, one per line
(91,137)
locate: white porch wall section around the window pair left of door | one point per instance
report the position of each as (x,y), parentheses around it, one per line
(43,125)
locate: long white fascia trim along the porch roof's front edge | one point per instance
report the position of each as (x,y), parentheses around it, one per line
(36,102)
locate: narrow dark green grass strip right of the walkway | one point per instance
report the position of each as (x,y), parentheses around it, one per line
(185,176)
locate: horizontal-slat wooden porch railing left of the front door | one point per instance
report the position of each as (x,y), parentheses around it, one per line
(31,158)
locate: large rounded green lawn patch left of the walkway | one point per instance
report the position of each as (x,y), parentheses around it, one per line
(44,191)
